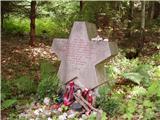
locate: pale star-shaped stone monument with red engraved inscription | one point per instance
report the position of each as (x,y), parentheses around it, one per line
(82,57)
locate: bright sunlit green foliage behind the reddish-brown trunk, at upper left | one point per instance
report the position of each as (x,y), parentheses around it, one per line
(54,19)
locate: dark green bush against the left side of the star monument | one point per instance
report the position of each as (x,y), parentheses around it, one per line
(49,83)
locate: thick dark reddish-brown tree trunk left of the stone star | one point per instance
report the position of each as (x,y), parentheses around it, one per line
(32,23)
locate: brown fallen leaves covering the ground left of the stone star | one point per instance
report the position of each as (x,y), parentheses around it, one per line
(18,58)
